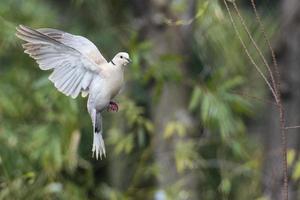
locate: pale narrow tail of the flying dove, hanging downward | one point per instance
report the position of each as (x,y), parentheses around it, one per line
(98,142)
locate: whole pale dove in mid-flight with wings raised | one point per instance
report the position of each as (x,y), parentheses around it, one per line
(78,66)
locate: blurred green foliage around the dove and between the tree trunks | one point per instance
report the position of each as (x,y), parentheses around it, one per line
(46,137)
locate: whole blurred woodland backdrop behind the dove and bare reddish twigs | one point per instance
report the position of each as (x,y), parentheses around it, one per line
(196,121)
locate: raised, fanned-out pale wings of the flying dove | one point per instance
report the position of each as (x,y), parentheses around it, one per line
(74,59)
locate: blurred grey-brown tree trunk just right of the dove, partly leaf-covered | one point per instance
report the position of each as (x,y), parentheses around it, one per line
(173,100)
